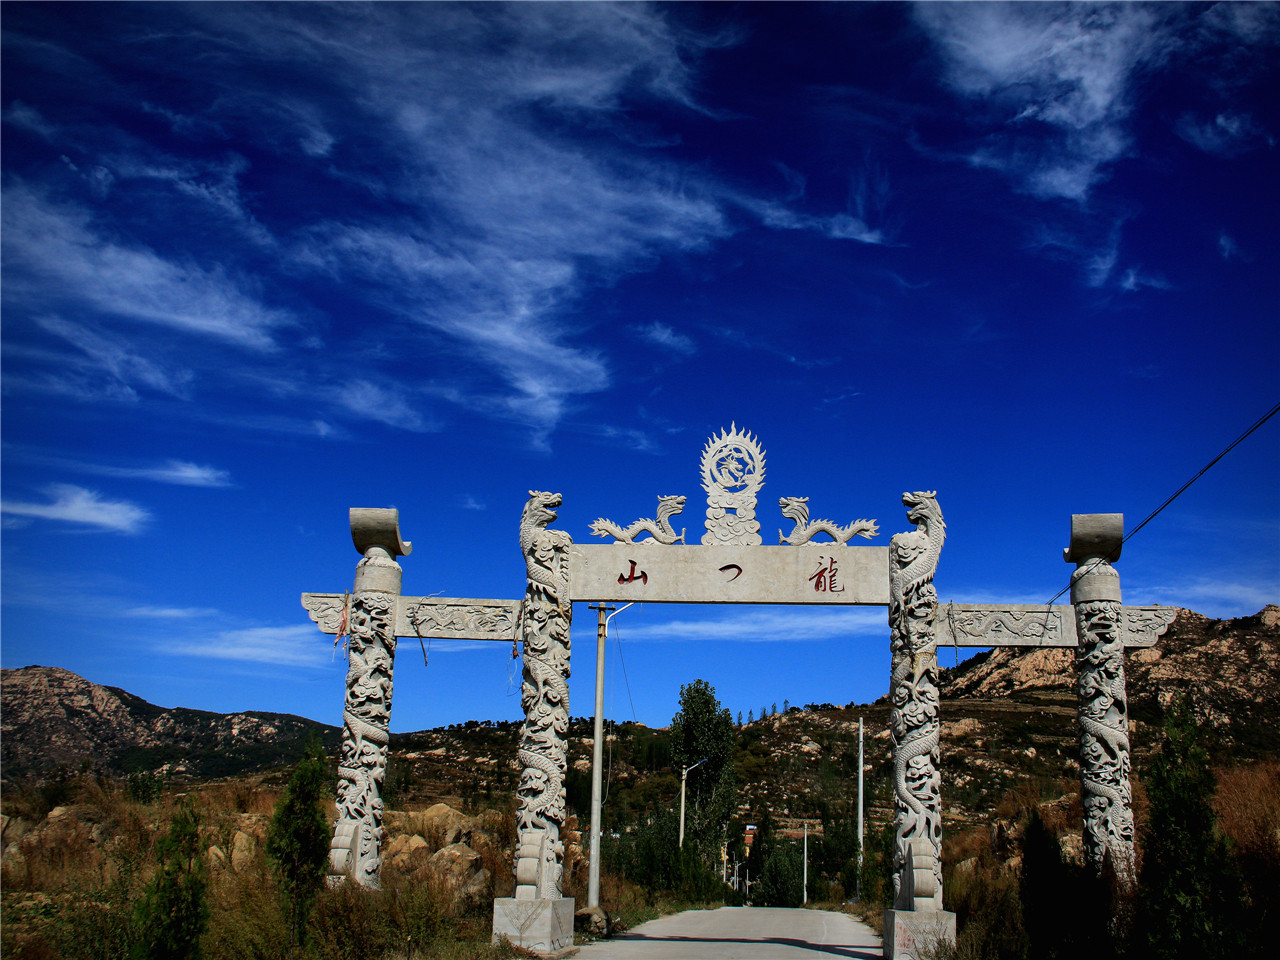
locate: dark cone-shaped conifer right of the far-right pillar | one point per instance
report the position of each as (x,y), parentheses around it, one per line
(1190,902)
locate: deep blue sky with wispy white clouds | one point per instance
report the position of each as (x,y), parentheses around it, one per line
(266,263)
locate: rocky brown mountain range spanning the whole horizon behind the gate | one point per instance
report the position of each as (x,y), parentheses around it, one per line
(1008,726)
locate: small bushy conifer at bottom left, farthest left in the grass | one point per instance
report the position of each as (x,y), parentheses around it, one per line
(172,913)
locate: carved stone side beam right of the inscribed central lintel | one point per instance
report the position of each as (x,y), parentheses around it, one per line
(1014,625)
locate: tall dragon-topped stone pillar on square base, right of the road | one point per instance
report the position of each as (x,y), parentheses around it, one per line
(917,924)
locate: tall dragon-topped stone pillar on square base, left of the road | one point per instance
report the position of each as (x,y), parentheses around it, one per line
(538,918)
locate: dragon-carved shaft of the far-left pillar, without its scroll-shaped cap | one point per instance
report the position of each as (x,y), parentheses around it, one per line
(356,848)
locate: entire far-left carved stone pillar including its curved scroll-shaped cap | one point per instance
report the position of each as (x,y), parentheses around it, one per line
(371,627)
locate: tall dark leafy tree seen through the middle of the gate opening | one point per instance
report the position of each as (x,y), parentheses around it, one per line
(705,730)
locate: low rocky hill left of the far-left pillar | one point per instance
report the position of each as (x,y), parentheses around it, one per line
(56,721)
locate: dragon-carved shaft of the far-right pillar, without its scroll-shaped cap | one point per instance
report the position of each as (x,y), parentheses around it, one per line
(1104,734)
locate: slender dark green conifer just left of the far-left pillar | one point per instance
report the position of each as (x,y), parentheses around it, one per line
(298,842)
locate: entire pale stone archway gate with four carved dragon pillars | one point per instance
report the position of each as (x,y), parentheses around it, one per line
(732,565)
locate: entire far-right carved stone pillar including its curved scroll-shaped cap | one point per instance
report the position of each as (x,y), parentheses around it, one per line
(1103,712)
